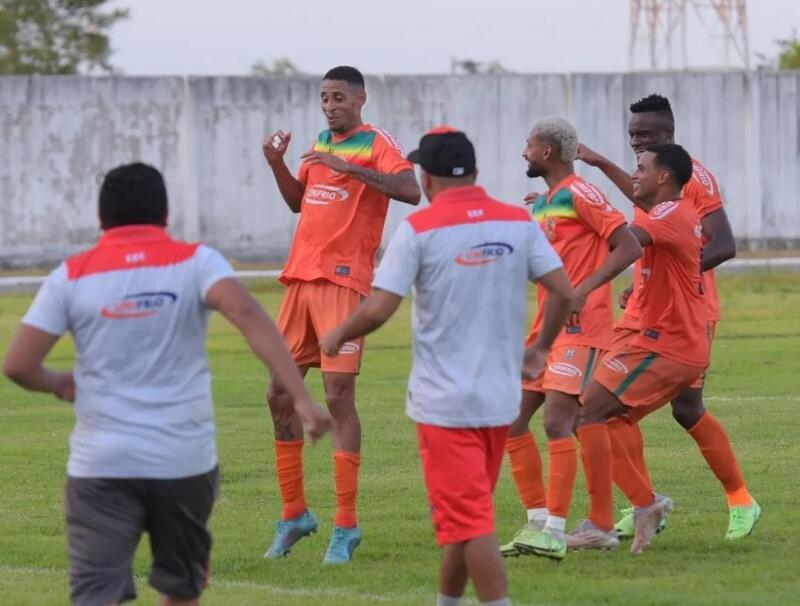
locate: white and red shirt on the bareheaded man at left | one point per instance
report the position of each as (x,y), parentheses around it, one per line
(134,305)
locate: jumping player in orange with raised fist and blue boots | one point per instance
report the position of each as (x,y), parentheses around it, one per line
(342,193)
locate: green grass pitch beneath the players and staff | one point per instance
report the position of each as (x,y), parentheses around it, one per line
(753,389)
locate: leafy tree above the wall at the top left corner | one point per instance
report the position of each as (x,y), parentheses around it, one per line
(55,36)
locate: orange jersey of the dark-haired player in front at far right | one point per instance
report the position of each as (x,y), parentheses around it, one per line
(674,312)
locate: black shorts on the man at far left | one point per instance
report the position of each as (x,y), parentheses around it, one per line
(105,519)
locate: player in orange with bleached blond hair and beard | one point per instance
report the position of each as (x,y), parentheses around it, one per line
(595,245)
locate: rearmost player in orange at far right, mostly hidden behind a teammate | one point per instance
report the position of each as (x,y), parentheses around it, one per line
(652,122)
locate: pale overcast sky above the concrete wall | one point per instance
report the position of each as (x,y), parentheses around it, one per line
(403,36)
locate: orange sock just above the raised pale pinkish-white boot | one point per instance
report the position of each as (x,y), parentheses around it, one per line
(624,440)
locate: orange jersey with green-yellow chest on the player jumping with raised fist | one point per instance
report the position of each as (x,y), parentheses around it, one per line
(341,218)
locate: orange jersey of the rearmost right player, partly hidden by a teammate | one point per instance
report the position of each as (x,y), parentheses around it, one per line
(702,190)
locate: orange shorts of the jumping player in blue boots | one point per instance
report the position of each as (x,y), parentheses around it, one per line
(308,312)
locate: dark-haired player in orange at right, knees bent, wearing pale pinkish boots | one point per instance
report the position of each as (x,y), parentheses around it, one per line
(668,354)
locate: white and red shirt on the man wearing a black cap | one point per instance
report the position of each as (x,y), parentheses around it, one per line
(469,259)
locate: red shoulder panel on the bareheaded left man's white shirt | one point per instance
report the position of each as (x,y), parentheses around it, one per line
(130,247)
